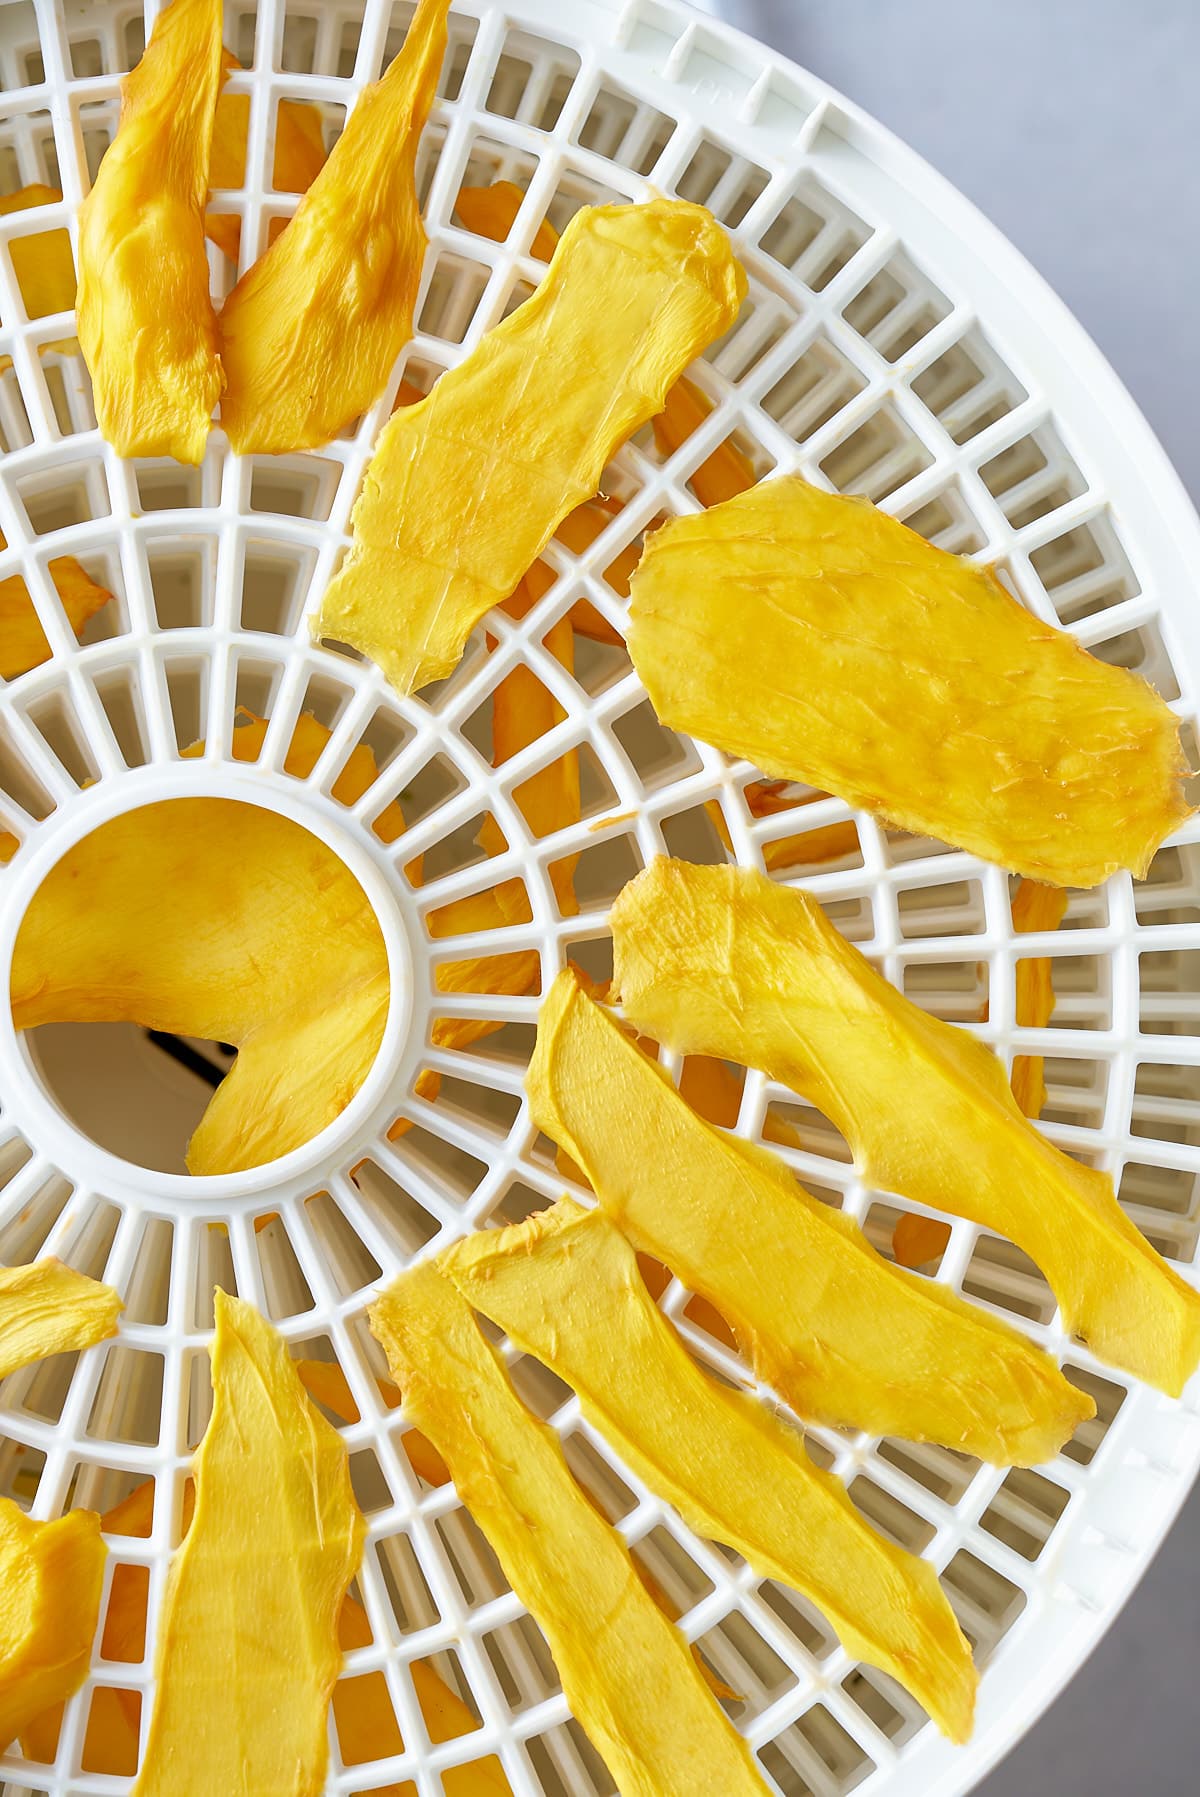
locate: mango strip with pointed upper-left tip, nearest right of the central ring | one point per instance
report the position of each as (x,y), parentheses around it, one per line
(843,1336)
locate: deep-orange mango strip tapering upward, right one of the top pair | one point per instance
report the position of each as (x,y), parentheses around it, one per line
(313,330)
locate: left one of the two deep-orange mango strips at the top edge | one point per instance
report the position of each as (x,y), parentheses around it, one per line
(145,312)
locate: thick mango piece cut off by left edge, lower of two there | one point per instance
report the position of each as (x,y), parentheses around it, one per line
(51,1577)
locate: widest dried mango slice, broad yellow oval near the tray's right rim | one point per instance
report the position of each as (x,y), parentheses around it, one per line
(833,646)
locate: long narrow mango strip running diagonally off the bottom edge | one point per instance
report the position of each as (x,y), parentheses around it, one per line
(626,1670)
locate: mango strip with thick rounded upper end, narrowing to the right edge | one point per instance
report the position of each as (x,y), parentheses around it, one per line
(727,962)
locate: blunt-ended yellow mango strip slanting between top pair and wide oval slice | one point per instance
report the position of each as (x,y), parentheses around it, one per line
(468,488)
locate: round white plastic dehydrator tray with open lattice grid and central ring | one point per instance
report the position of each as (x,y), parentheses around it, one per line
(892,346)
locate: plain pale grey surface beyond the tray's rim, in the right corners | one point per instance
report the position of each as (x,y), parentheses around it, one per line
(1075,127)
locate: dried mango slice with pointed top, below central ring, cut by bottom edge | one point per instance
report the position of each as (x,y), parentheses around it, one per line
(256,1588)
